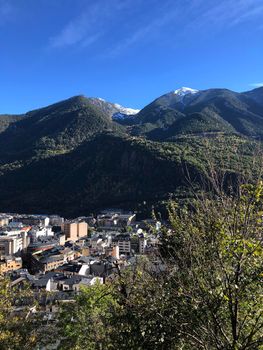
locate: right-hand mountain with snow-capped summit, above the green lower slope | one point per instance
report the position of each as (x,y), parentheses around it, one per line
(188,111)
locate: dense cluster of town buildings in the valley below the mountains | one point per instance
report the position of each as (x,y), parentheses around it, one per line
(59,256)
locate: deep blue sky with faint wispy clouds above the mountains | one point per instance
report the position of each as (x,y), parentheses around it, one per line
(126,51)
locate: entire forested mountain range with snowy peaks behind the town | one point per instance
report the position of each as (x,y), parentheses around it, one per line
(82,154)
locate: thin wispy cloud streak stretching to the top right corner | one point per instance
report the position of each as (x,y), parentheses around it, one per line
(197,15)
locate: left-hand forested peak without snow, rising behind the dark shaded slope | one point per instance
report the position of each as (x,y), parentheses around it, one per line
(55,129)
